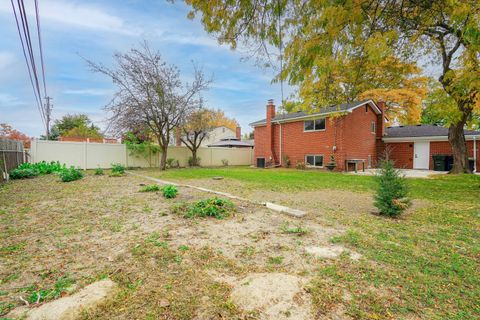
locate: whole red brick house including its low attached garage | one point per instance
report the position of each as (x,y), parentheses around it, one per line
(351,132)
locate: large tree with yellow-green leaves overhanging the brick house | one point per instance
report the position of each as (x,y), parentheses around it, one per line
(338,50)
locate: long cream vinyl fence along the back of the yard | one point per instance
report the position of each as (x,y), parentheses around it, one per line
(101,155)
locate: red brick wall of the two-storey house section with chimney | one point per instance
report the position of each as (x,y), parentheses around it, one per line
(351,134)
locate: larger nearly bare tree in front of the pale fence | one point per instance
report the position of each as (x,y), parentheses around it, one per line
(150,94)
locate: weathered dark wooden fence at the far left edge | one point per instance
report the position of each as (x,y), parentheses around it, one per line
(12,155)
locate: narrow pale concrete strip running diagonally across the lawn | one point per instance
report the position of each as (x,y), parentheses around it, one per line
(272,206)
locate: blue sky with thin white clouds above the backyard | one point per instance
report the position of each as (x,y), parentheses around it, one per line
(95,30)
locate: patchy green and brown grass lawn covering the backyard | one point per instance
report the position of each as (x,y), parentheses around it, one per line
(58,237)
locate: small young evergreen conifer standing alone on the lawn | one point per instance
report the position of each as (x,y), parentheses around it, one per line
(391,198)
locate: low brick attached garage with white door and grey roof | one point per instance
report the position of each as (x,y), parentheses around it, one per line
(415,147)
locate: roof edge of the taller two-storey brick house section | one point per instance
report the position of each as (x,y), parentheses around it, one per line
(348,107)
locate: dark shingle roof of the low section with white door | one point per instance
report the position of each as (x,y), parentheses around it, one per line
(421,130)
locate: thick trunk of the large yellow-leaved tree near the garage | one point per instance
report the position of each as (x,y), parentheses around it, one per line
(456,138)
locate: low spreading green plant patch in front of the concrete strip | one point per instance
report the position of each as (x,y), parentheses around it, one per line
(212,207)
